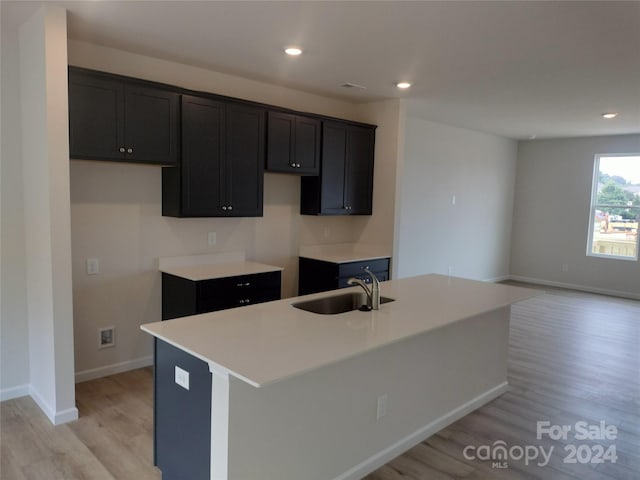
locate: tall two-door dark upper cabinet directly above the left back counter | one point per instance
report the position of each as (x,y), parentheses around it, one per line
(221,171)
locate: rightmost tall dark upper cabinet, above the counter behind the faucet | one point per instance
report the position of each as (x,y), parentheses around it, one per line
(345,183)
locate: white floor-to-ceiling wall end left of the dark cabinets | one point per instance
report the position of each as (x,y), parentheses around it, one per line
(45,159)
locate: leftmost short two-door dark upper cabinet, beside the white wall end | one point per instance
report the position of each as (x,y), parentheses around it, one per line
(111,118)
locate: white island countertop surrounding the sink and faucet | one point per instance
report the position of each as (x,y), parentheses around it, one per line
(268,342)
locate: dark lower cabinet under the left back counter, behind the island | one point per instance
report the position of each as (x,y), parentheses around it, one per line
(182,297)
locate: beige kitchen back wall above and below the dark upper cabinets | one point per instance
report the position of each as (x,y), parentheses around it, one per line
(116,217)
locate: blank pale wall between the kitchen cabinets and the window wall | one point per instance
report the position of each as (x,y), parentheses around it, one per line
(473,236)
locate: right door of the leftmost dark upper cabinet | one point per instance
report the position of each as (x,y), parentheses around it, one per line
(151,125)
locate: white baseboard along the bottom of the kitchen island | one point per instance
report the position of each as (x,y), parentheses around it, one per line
(381,458)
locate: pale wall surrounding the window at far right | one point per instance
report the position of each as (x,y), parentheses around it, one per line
(551,215)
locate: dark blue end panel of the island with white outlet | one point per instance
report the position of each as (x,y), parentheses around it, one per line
(182,417)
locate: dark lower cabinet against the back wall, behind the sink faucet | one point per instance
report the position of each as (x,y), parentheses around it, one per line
(320,276)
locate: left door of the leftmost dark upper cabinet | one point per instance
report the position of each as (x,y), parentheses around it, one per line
(96,112)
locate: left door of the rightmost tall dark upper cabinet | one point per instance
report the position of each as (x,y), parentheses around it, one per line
(333,175)
